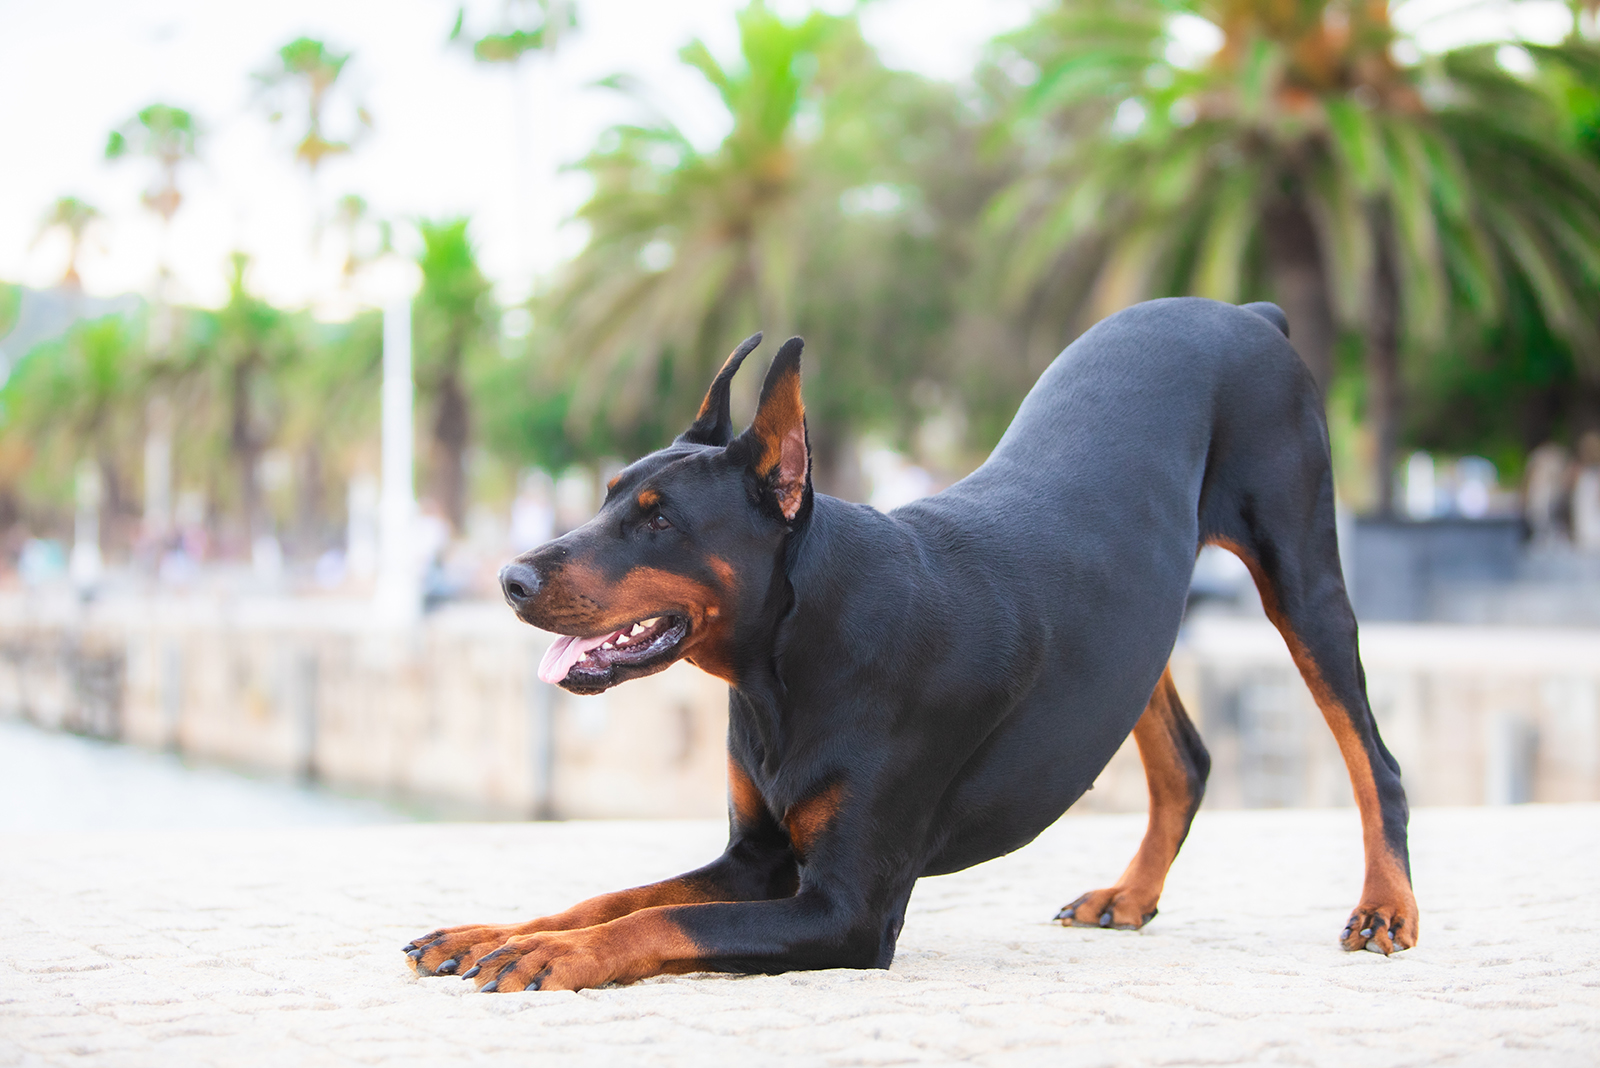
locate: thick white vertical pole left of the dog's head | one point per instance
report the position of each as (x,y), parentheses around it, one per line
(399,596)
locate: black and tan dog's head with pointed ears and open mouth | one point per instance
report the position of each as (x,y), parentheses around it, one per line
(684,559)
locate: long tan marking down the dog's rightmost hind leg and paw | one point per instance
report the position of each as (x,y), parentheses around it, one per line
(1386,890)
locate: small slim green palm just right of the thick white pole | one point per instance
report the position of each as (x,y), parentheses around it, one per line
(454,321)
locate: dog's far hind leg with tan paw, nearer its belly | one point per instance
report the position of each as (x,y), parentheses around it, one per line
(1175,770)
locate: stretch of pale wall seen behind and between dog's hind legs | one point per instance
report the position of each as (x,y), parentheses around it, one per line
(1476,715)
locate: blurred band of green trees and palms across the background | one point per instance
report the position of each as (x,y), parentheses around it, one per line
(1431,226)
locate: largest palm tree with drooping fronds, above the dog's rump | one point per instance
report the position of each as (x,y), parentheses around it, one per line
(1300,162)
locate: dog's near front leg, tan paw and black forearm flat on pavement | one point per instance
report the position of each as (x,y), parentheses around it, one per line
(809,931)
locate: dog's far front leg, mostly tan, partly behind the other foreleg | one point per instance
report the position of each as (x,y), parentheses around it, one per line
(753,869)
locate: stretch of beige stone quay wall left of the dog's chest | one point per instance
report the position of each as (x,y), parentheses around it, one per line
(447,712)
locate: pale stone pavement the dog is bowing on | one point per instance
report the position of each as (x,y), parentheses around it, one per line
(282,947)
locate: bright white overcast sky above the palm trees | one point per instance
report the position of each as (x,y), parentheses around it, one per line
(444,137)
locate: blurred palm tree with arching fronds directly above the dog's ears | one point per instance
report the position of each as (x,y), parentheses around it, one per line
(690,249)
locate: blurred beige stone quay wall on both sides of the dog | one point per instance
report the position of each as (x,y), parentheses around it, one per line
(452,712)
